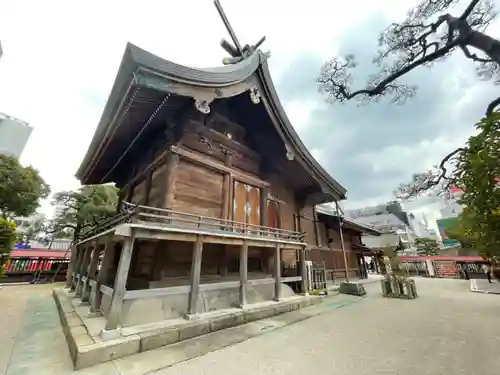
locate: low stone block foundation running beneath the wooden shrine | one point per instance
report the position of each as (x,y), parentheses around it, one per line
(87,349)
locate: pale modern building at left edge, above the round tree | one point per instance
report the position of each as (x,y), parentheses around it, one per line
(14,135)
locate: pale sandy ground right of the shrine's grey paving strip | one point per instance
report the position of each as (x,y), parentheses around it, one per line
(447,331)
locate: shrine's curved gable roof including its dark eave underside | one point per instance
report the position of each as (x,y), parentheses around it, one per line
(144,115)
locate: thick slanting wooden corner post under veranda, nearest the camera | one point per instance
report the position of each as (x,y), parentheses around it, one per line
(115,308)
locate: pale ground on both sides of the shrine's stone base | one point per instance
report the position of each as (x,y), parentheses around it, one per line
(448,330)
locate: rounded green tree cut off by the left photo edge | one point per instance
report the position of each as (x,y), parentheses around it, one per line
(21,188)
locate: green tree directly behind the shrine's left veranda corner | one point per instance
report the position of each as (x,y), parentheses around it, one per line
(82,209)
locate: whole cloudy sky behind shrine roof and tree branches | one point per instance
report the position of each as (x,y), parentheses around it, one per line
(61,57)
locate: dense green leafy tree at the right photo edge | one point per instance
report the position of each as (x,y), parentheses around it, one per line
(476,171)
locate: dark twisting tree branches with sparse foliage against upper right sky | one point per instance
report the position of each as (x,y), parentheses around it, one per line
(431,32)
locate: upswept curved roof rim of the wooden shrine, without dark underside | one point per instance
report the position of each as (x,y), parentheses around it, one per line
(140,67)
